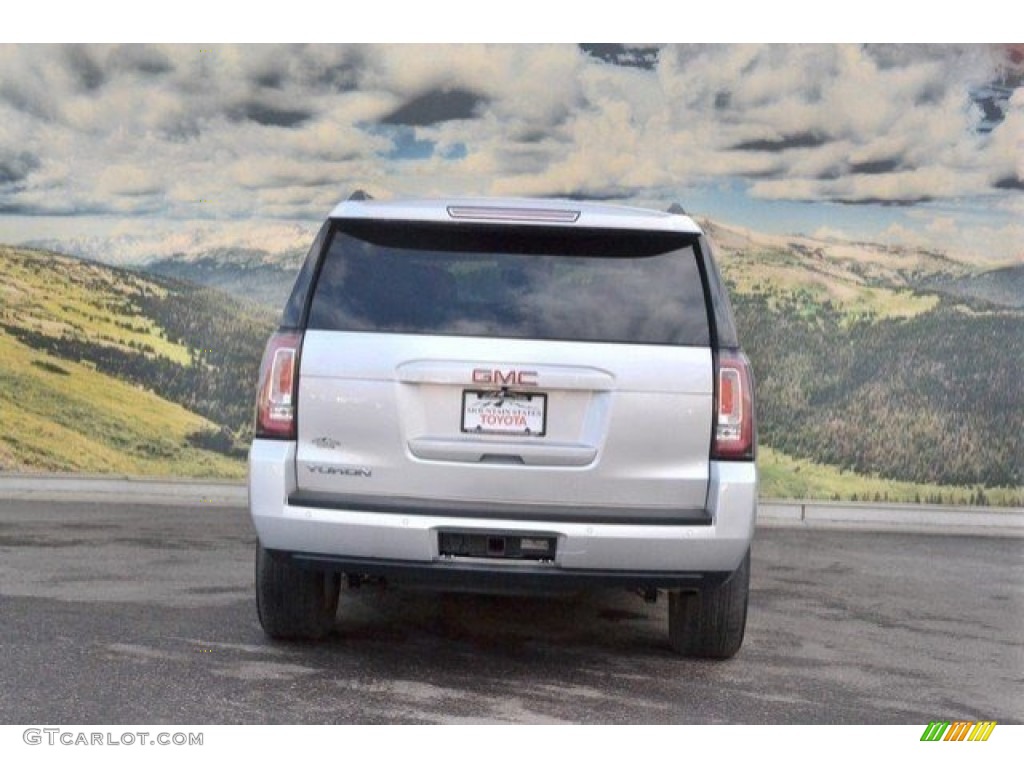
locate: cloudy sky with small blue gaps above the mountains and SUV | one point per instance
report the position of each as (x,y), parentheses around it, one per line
(194,145)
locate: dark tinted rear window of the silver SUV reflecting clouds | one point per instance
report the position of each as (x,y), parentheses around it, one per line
(530,283)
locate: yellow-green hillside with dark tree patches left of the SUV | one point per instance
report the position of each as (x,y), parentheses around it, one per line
(111,371)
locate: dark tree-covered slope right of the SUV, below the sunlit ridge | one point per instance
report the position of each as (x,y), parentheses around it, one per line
(936,398)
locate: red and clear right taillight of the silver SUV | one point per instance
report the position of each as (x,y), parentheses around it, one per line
(734,408)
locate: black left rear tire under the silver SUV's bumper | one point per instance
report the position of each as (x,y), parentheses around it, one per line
(294,604)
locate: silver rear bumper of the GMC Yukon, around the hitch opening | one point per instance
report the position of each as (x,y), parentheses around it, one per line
(404,546)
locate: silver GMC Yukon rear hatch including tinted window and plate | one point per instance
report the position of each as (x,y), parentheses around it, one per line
(489,369)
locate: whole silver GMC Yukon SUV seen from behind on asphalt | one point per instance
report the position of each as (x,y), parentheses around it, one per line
(514,396)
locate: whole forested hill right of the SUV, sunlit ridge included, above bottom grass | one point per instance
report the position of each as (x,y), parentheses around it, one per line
(863,365)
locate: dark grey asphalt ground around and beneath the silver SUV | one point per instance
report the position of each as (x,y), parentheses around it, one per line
(126,613)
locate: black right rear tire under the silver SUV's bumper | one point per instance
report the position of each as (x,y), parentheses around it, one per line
(711,623)
